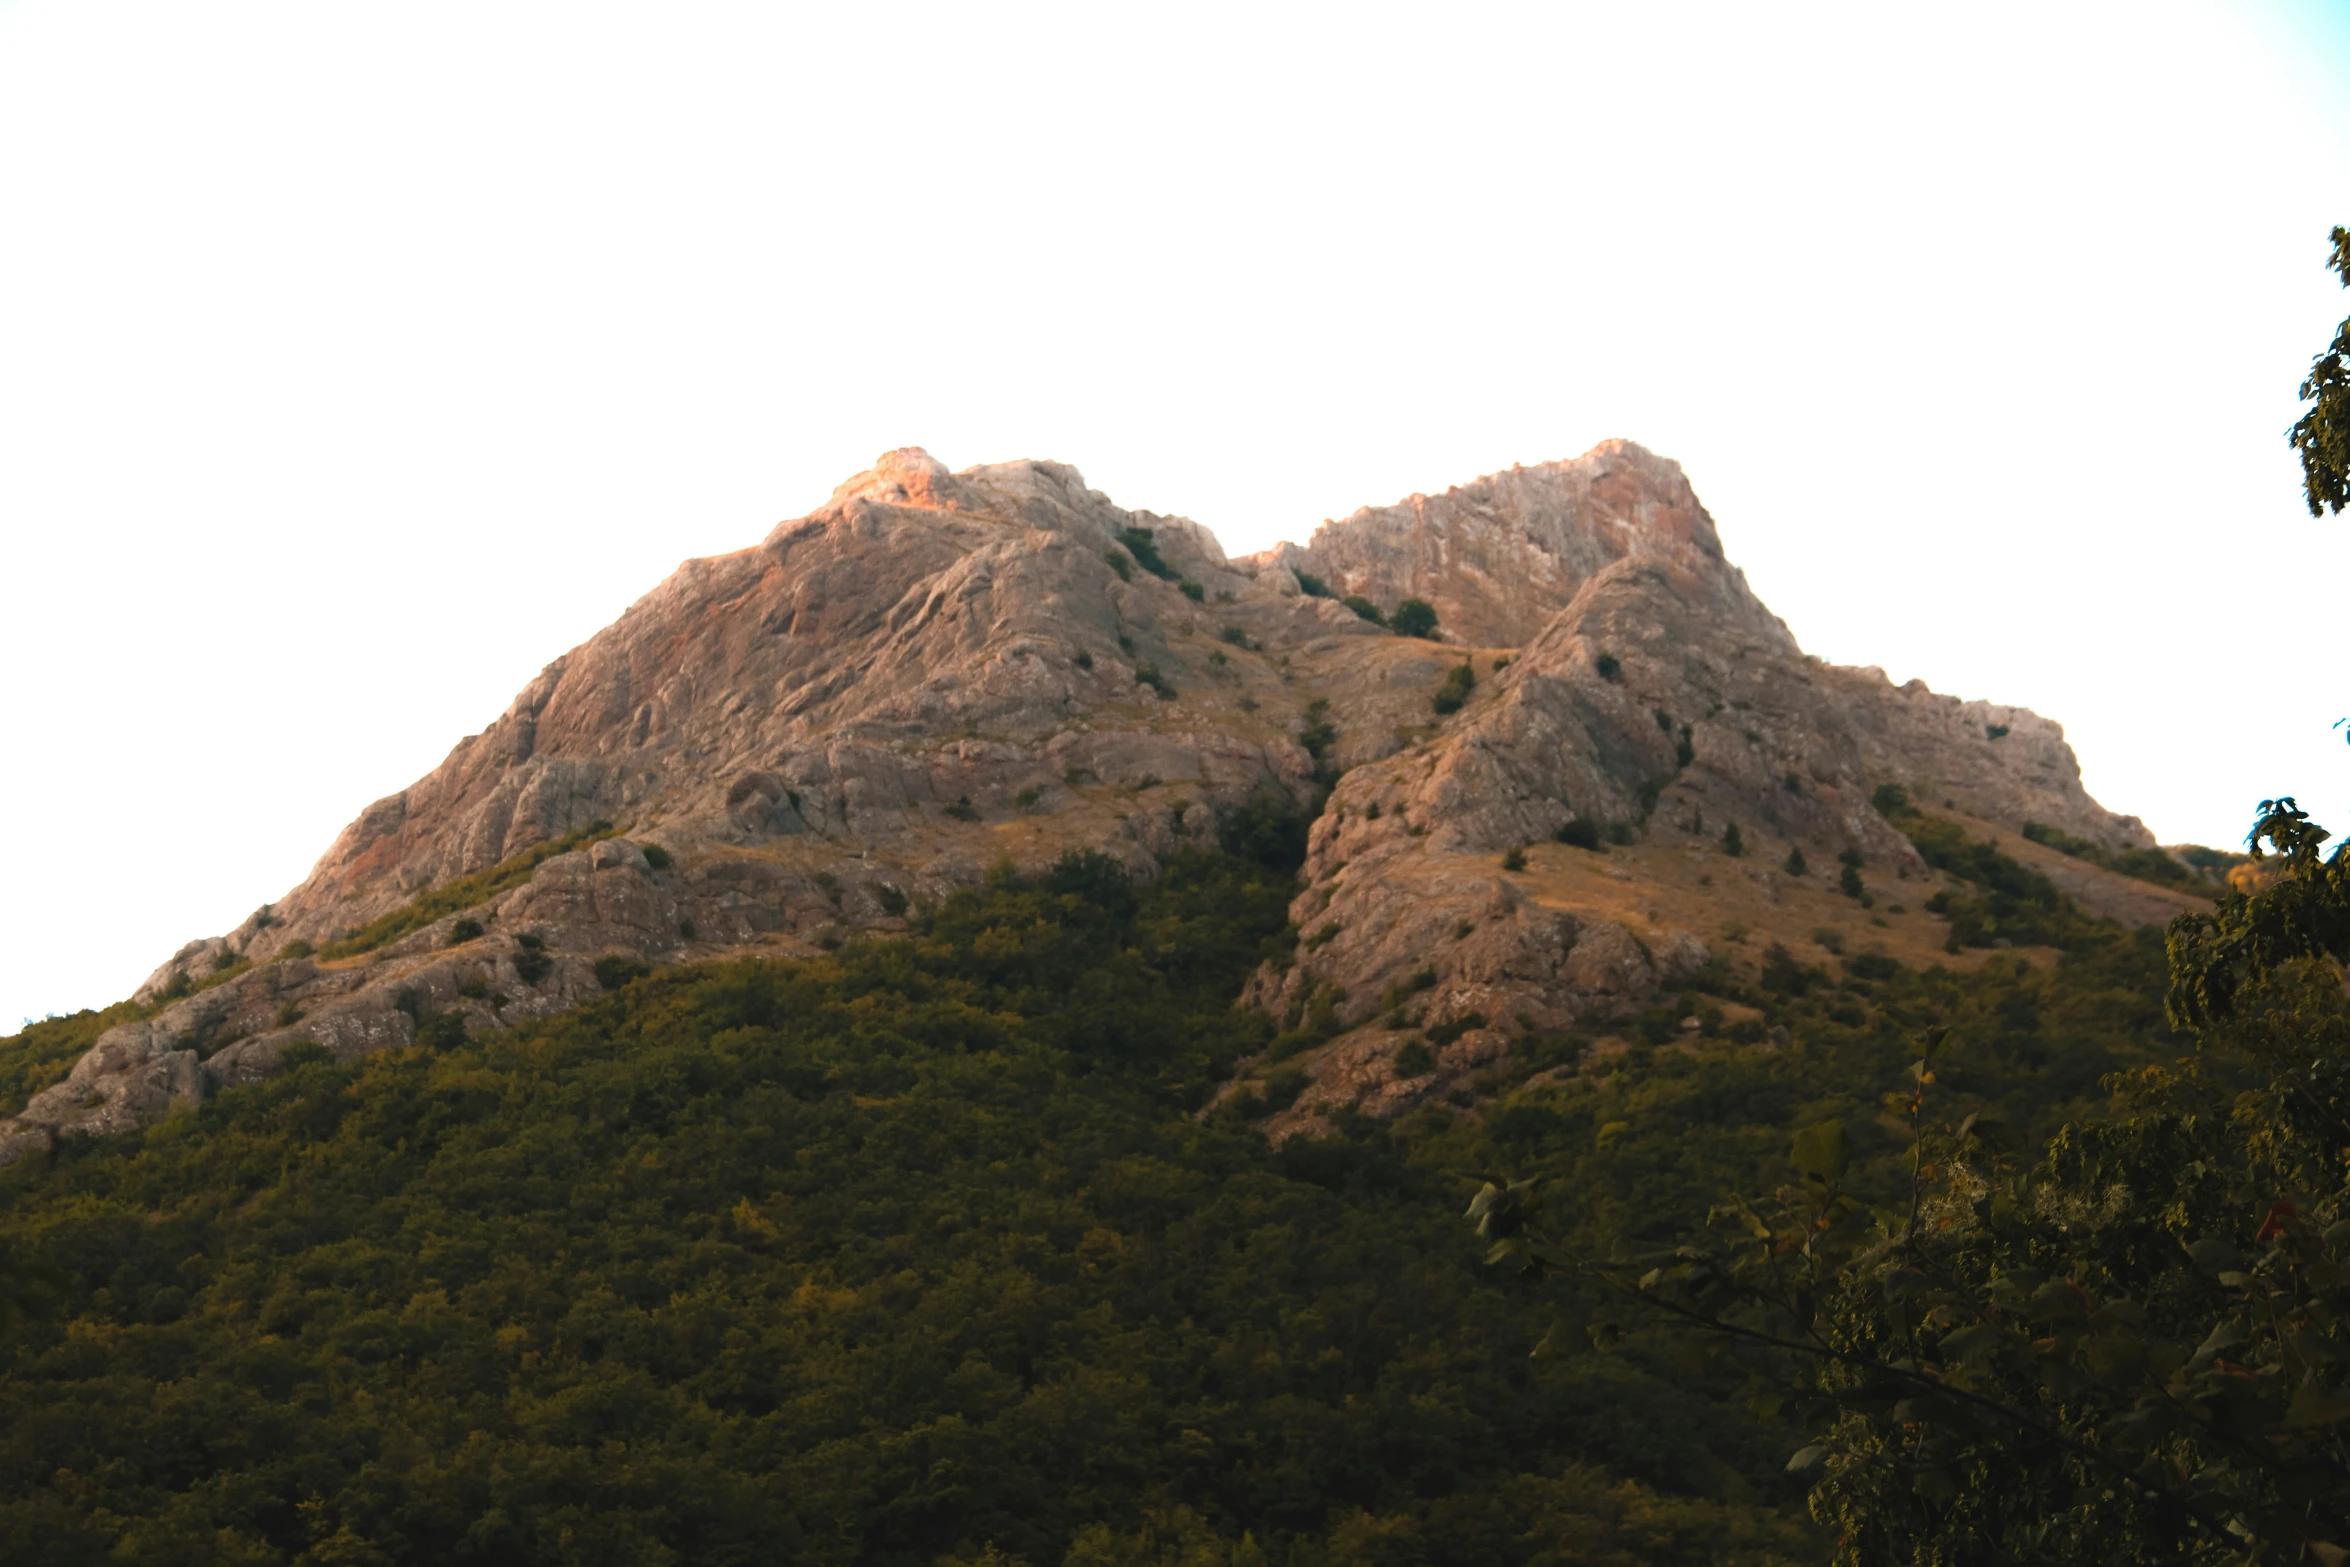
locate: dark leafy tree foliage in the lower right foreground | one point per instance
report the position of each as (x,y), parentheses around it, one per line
(2128,1347)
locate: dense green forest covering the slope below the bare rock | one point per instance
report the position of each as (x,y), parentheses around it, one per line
(929,1253)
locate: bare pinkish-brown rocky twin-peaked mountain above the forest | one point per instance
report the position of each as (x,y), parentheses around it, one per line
(934,673)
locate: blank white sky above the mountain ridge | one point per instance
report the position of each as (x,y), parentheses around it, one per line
(361,358)
